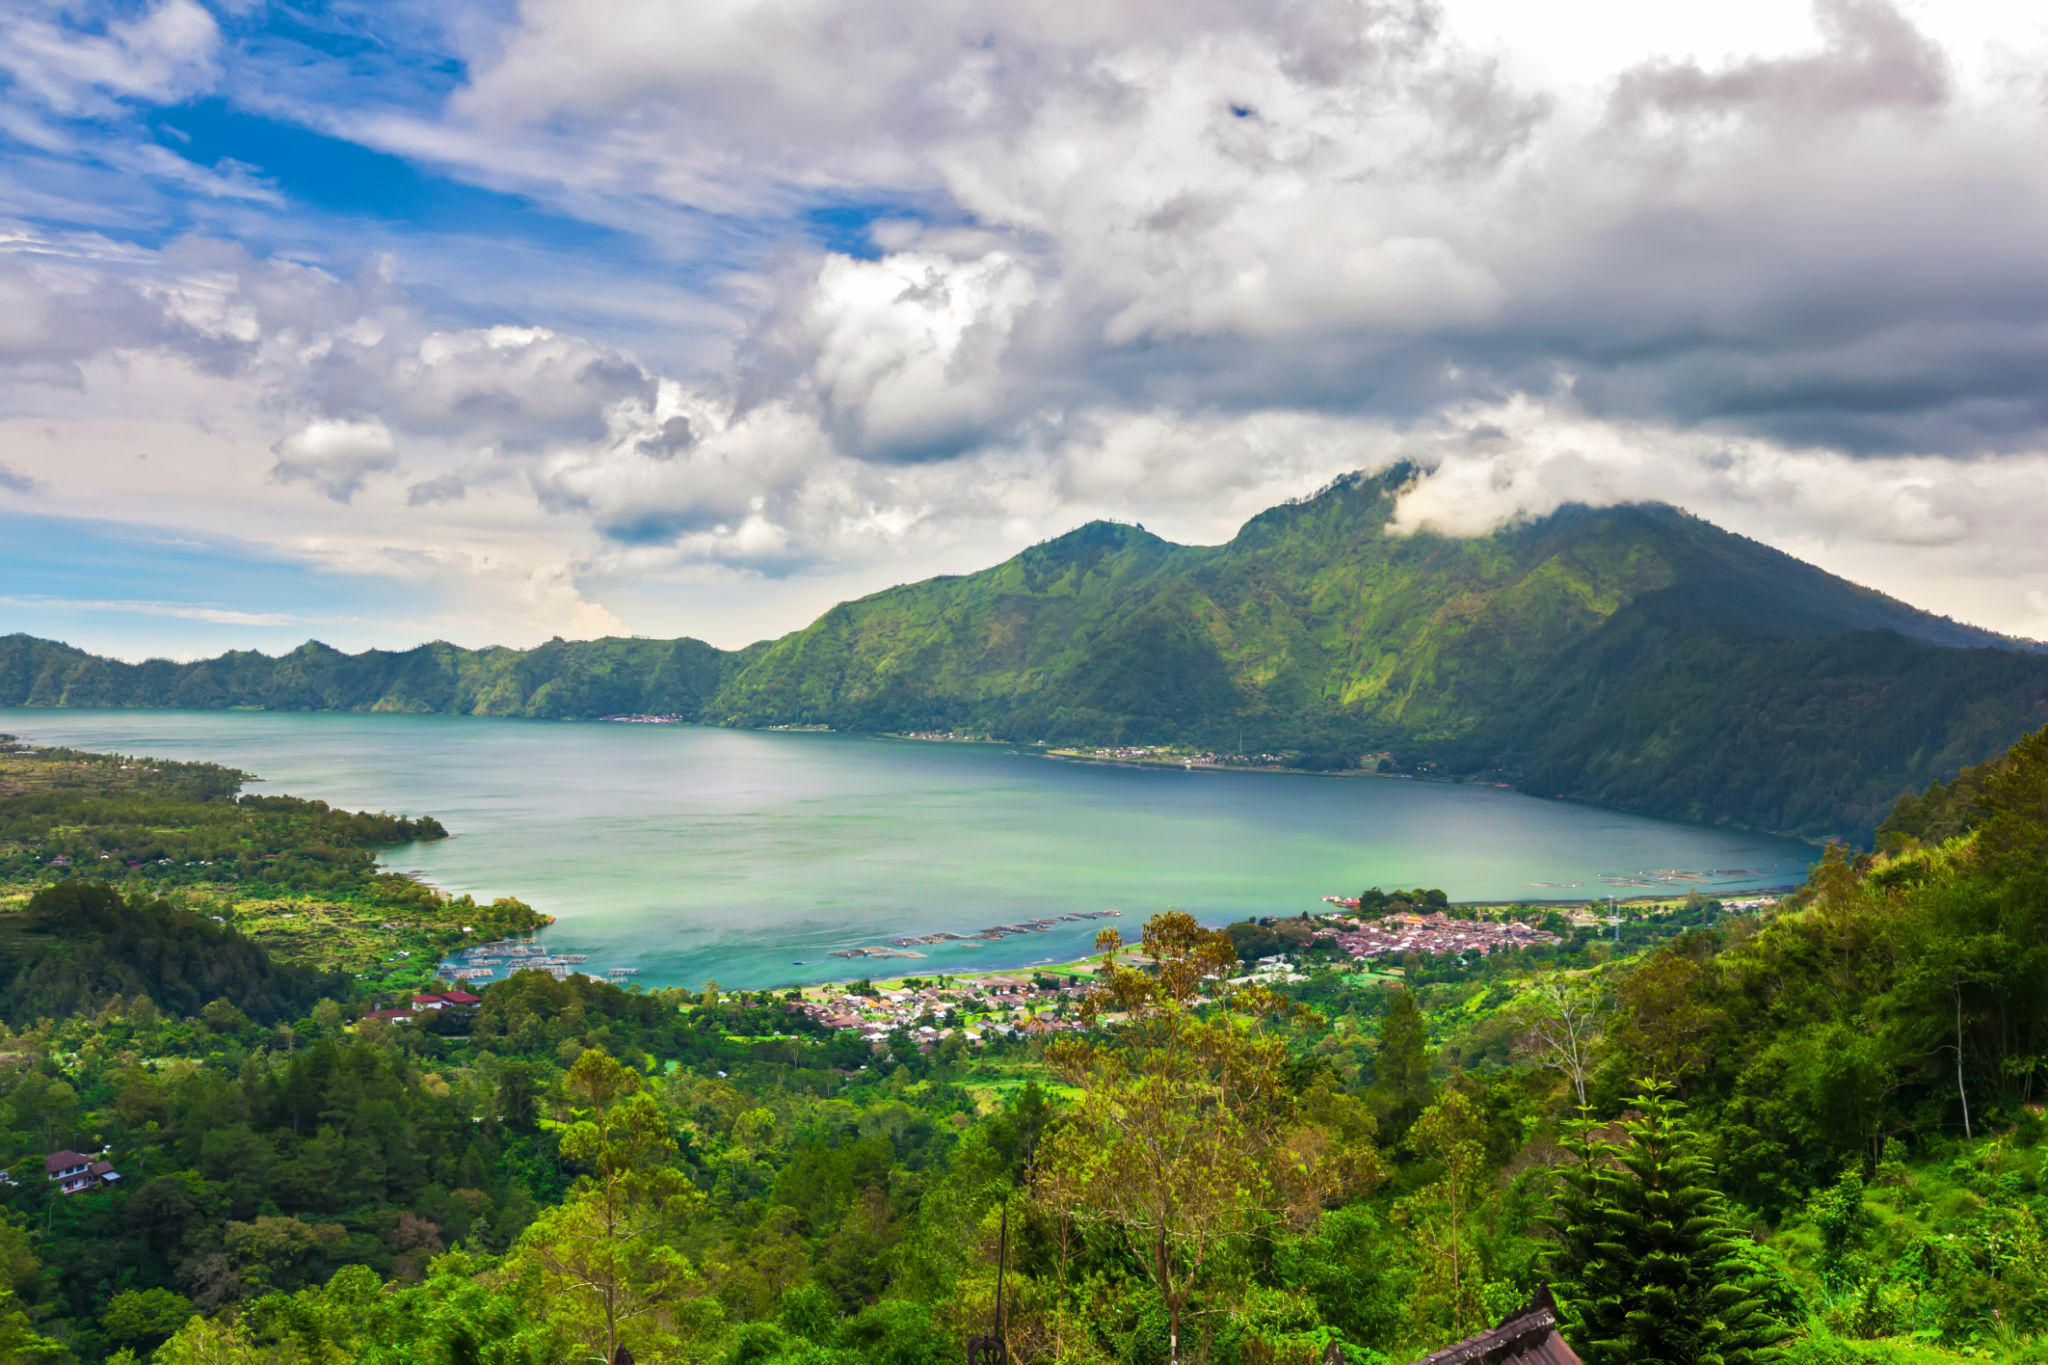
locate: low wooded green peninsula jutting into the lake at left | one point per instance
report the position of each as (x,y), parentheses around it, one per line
(198,858)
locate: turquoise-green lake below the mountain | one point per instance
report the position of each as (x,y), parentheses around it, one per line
(695,852)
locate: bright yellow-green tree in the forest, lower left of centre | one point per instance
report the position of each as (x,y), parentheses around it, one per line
(607,1253)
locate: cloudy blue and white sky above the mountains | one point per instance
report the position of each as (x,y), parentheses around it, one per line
(523,318)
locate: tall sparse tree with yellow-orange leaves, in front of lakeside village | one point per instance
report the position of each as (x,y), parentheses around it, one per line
(1185,1139)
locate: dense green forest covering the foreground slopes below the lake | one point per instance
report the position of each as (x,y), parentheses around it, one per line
(1809,1137)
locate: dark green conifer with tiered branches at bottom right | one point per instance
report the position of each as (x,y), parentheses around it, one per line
(1650,1268)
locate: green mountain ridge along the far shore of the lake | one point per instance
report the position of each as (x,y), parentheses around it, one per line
(1631,656)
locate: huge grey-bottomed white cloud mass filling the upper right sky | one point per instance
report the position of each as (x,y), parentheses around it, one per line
(1328,206)
